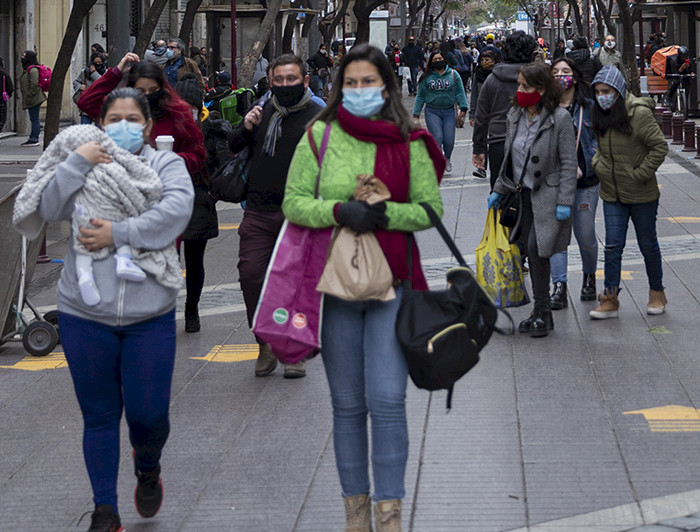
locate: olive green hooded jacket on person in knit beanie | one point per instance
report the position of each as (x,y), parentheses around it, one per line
(626,164)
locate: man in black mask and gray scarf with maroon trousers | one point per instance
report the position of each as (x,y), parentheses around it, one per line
(272,133)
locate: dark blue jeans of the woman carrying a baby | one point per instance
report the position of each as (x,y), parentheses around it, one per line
(126,368)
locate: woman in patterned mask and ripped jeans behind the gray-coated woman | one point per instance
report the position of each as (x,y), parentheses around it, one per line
(575,100)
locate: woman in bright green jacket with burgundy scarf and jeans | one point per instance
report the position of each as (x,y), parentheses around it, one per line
(370,133)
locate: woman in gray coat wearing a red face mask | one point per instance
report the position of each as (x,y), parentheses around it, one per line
(539,165)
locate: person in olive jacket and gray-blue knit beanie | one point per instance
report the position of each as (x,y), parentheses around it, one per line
(631,147)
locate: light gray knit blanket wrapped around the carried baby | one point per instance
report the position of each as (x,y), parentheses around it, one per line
(122,189)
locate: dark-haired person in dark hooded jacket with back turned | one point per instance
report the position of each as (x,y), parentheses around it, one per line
(495,98)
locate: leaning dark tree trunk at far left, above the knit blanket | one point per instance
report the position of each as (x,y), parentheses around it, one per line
(80,10)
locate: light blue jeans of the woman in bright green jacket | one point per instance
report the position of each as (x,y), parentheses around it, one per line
(367,374)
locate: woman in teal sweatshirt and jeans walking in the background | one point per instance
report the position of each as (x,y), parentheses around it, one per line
(439,89)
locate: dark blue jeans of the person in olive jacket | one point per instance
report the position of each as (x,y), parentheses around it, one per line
(617,216)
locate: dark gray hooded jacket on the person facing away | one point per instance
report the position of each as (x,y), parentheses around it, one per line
(495,100)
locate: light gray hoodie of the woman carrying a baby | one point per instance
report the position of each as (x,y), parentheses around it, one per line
(123,302)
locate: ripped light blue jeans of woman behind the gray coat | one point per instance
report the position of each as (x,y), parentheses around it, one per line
(585,205)
